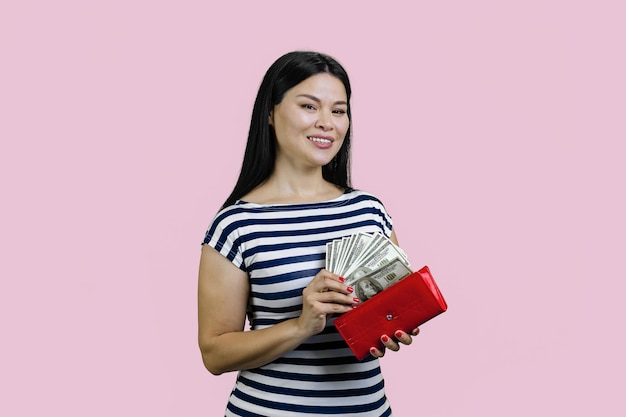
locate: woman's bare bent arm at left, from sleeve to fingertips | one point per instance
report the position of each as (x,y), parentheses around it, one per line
(223,291)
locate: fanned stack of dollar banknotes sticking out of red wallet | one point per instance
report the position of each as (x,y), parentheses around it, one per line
(369,262)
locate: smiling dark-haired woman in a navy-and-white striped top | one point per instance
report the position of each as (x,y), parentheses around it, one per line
(263,255)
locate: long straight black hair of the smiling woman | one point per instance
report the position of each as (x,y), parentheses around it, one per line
(260,155)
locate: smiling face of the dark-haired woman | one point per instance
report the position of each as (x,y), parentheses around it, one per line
(311,122)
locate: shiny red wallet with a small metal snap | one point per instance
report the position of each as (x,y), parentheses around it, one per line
(404,306)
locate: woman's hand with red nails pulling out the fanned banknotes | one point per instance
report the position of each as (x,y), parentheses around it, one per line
(326,294)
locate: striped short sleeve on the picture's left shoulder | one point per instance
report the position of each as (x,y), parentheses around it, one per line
(223,235)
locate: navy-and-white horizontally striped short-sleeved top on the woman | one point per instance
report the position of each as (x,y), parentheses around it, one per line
(282,247)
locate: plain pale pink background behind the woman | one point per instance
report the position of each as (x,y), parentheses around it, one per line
(493,131)
